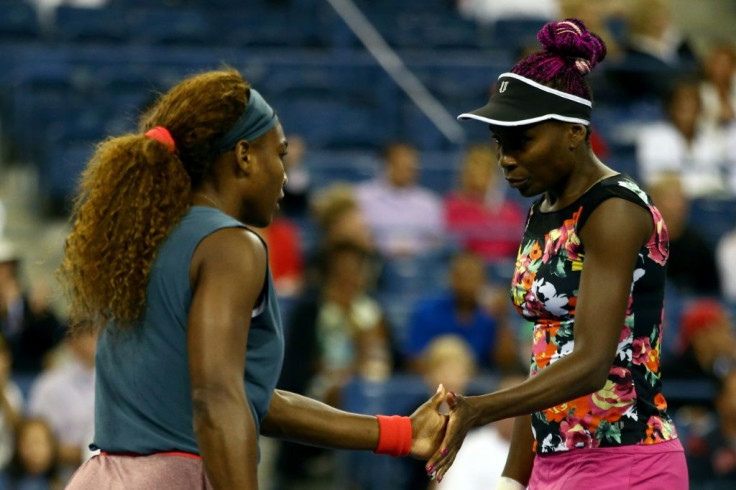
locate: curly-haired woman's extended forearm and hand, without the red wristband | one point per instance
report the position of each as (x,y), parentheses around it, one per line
(301,419)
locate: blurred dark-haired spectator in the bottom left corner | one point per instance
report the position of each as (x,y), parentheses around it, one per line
(34,463)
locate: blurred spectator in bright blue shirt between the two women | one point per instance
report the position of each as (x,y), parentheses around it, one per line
(458,311)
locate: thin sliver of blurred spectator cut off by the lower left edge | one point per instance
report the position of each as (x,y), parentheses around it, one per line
(11,406)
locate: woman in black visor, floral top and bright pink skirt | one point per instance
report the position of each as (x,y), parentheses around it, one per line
(589,275)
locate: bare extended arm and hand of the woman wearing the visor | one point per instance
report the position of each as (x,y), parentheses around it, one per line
(613,237)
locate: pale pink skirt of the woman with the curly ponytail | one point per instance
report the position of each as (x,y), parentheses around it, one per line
(163,471)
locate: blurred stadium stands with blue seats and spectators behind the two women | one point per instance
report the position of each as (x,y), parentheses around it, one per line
(393,251)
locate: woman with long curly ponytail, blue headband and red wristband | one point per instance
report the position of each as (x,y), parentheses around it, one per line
(161,262)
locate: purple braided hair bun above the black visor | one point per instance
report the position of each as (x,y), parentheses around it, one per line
(570,39)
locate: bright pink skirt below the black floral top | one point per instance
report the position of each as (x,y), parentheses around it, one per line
(641,467)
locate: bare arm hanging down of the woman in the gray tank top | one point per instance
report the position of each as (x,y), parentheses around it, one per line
(227,276)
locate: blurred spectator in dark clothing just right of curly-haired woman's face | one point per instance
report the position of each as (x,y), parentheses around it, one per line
(295,203)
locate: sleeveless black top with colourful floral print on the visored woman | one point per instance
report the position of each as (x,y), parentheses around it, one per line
(630,408)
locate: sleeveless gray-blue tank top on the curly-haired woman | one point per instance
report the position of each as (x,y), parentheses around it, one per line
(143,399)
